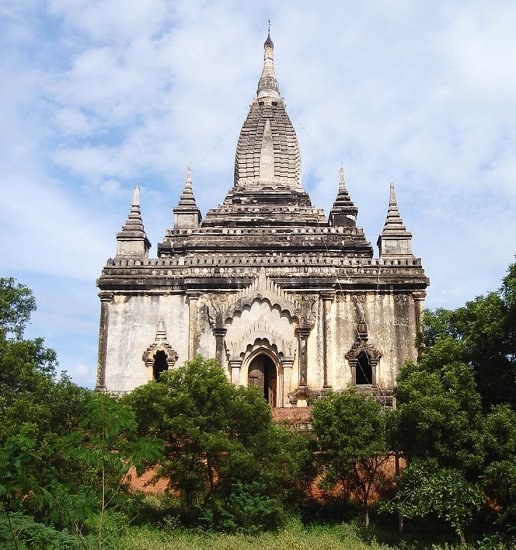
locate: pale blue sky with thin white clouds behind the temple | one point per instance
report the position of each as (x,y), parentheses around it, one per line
(99,96)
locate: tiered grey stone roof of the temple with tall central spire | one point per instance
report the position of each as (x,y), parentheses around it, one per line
(268,218)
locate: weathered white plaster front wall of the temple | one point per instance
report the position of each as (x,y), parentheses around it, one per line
(390,320)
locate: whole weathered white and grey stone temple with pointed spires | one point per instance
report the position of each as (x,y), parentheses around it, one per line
(283,296)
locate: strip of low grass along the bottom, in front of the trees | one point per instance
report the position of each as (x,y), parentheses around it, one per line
(159,528)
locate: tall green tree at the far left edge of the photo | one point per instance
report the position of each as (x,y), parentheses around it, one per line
(37,410)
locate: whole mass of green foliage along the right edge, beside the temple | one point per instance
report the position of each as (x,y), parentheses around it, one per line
(455,422)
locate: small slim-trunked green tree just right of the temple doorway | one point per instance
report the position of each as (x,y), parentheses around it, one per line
(350,433)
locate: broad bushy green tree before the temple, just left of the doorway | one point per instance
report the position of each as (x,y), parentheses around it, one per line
(219,445)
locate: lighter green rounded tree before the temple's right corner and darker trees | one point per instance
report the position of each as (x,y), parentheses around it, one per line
(439,410)
